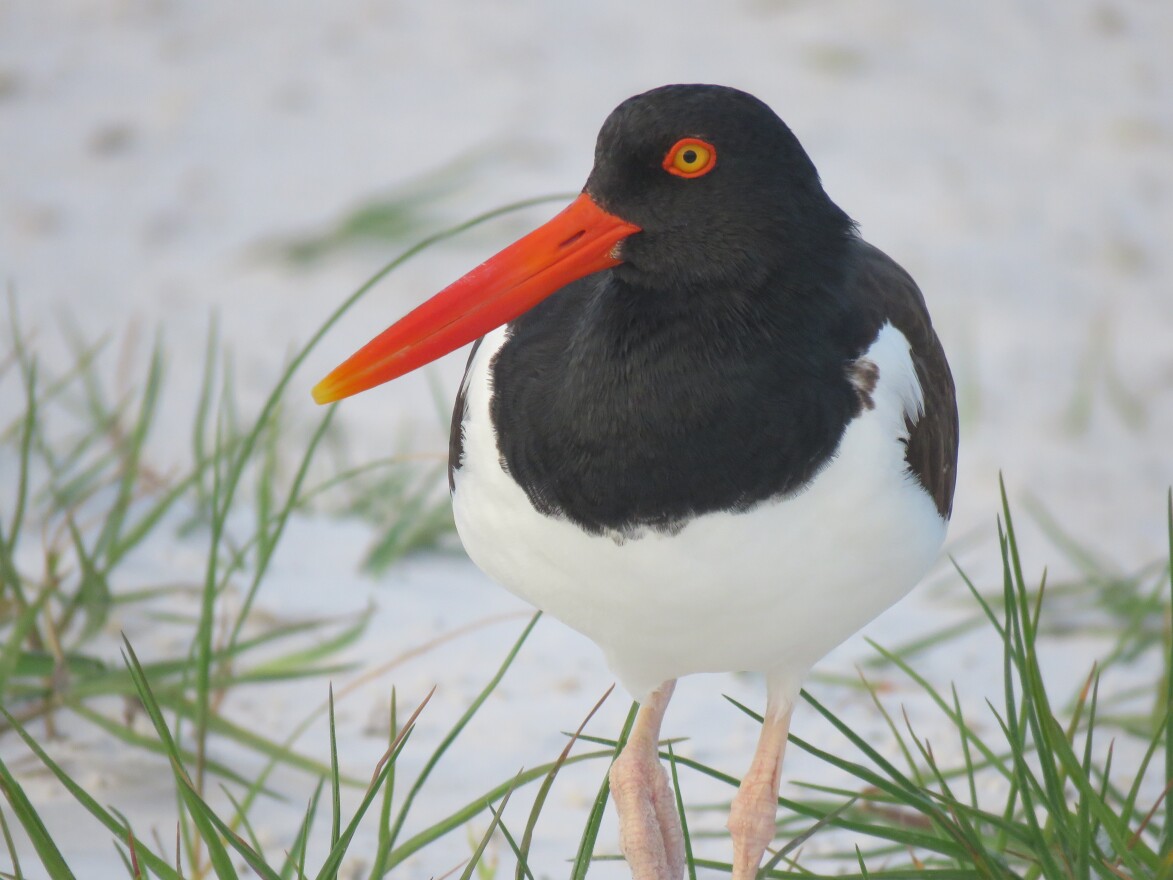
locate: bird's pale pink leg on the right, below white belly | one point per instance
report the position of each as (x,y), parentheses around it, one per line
(755,810)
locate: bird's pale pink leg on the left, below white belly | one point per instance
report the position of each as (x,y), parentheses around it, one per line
(649,825)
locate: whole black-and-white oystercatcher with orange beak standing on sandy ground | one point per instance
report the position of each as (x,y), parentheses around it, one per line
(703,423)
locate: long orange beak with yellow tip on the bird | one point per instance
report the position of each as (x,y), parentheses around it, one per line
(580,241)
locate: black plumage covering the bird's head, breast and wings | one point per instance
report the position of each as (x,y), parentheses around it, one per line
(714,369)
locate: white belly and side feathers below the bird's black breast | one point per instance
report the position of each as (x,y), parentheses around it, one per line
(772,590)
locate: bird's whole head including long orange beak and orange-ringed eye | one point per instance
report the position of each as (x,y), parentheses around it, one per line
(693,187)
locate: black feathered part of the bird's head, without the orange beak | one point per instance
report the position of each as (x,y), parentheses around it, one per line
(758,213)
